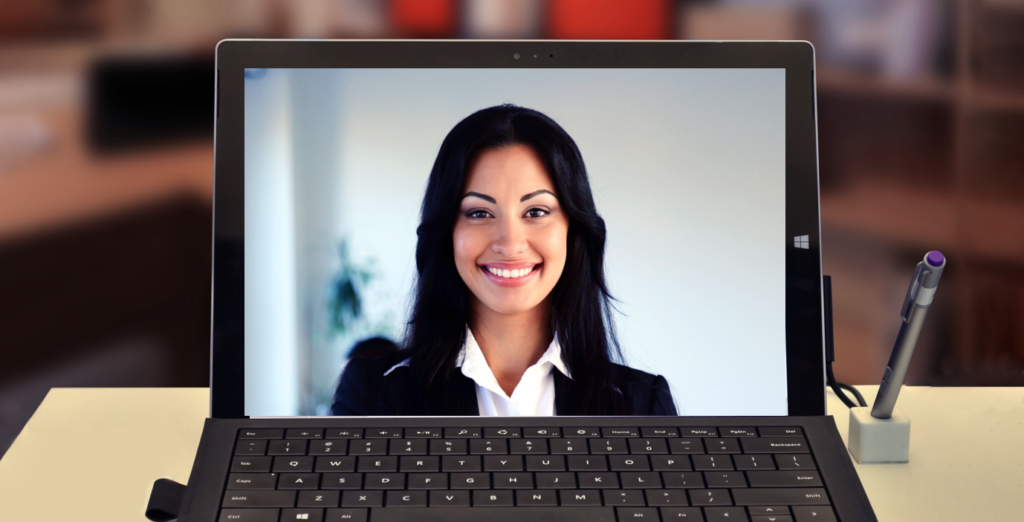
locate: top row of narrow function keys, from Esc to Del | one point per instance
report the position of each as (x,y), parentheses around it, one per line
(515,433)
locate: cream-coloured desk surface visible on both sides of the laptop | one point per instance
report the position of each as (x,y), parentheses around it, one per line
(96,453)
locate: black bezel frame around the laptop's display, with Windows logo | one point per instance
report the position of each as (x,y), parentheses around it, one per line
(804,325)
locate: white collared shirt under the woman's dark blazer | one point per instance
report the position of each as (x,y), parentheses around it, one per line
(534,397)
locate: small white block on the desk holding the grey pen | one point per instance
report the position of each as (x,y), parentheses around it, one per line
(879,441)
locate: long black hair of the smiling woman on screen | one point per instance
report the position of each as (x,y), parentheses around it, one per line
(581,316)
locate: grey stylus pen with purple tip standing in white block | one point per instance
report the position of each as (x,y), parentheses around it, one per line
(919,300)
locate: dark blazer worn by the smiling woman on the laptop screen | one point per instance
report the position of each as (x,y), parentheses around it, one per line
(365,390)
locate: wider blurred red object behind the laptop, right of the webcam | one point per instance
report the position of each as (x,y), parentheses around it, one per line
(610,20)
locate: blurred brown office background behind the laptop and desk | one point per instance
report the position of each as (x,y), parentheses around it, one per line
(106,167)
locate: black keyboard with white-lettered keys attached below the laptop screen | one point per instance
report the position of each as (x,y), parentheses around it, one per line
(525,469)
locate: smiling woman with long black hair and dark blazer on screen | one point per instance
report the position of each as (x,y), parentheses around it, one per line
(511,315)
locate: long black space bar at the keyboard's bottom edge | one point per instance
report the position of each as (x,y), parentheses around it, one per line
(519,514)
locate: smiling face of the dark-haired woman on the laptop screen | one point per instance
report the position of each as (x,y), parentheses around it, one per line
(511,234)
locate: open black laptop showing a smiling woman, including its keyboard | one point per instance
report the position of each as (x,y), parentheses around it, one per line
(513,281)
